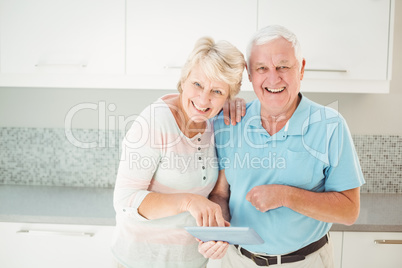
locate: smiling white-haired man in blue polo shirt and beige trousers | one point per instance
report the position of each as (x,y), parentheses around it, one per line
(289,169)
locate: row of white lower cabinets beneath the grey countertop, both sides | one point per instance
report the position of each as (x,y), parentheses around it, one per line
(26,245)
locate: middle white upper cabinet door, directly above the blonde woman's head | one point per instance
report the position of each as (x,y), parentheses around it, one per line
(161,34)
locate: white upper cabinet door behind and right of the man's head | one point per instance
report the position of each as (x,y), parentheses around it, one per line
(346,44)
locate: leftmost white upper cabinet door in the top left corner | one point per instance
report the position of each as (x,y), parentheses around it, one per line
(62,37)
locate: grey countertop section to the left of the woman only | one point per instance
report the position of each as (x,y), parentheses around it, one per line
(55,204)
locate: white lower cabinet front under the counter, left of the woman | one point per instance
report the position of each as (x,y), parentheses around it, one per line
(53,245)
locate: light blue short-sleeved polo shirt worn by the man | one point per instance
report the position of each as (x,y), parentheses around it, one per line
(314,151)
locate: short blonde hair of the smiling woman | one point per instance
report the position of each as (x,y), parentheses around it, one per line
(220,61)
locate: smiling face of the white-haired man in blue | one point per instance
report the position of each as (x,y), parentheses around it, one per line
(275,75)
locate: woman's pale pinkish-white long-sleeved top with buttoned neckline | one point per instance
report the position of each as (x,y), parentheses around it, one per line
(158,157)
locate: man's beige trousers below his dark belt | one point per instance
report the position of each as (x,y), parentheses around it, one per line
(322,258)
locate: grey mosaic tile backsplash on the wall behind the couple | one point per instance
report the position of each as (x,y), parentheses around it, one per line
(90,158)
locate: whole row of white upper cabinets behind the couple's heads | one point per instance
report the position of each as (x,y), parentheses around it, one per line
(139,44)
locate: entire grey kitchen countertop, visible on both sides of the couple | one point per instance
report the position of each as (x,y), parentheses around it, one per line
(94,206)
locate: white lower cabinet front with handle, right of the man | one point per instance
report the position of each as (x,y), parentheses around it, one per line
(372,250)
